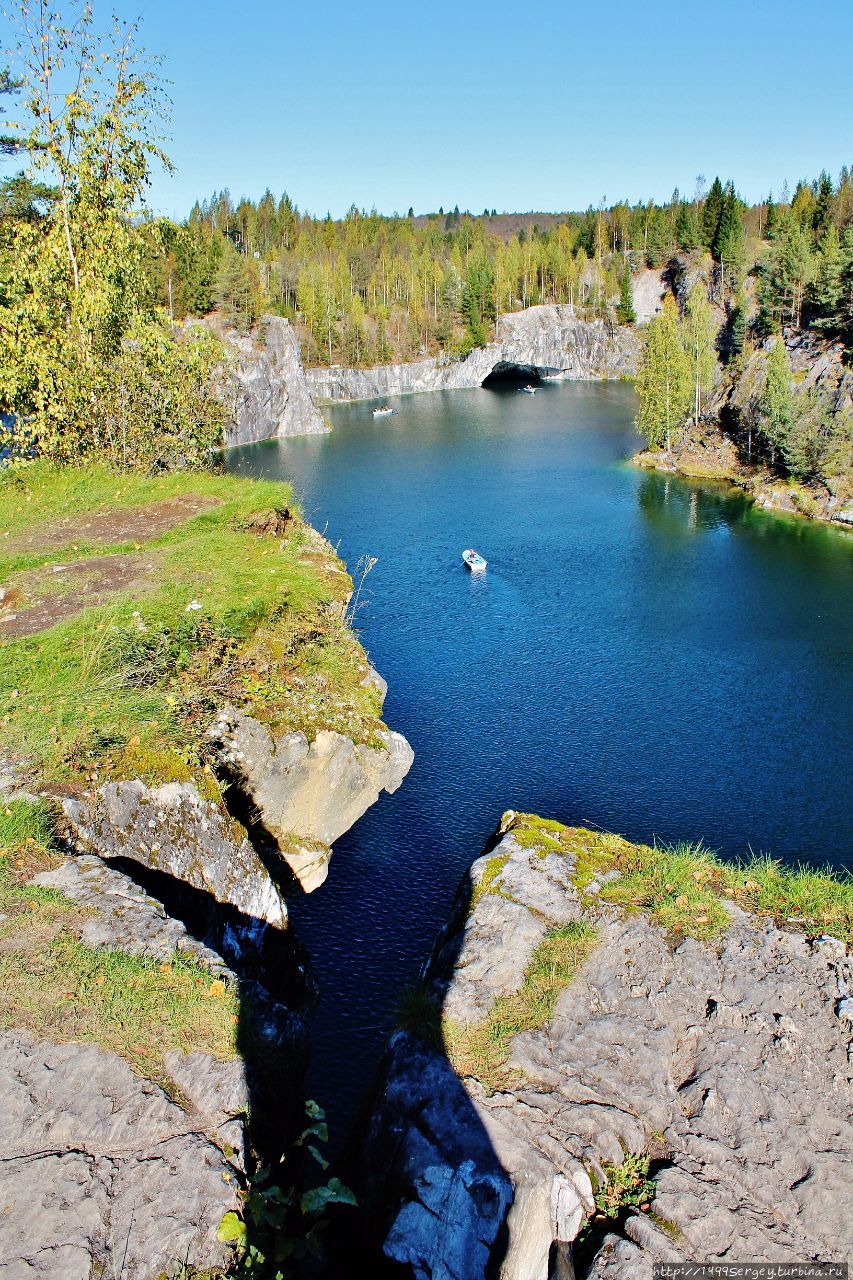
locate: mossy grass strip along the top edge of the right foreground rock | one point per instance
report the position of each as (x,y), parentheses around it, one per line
(686,888)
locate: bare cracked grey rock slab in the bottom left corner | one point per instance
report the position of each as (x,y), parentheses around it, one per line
(102,1173)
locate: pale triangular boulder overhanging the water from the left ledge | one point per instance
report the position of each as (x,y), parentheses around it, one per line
(305,796)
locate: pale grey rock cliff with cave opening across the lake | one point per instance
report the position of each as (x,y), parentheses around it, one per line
(544,341)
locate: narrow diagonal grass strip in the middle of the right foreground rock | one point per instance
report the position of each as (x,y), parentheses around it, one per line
(483,1050)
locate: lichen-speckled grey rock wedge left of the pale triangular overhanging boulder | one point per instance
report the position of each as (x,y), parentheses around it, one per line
(172,829)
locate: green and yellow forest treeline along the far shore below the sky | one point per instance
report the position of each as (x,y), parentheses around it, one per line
(373,289)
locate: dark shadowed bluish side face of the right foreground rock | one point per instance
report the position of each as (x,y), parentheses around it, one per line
(419,1155)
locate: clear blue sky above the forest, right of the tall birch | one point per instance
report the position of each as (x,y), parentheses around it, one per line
(509,106)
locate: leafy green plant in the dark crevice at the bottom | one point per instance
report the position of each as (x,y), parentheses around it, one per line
(281,1226)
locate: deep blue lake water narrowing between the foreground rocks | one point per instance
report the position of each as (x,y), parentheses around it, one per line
(645,655)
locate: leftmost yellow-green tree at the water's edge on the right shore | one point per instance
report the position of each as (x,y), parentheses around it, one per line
(664,382)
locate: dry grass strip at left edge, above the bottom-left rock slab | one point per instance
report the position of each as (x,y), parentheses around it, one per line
(56,986)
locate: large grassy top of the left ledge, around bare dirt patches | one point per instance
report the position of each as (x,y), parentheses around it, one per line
(138,680)
